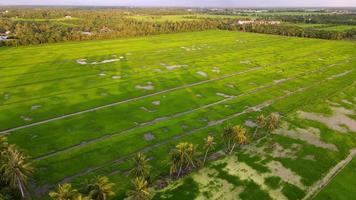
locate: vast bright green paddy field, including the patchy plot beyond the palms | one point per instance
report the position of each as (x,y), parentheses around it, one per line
(85,109)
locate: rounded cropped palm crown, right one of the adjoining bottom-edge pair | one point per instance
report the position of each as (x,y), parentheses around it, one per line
(100,188)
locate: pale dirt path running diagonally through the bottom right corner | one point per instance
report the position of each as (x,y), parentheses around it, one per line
(319,185)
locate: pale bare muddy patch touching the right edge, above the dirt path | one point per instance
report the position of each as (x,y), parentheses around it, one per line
(339,121)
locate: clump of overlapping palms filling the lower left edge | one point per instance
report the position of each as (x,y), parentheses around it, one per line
(15,170)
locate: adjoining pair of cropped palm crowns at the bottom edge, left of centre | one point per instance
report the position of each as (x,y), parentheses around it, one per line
(99,188)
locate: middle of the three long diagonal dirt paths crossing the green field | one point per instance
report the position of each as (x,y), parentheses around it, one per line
(165,118)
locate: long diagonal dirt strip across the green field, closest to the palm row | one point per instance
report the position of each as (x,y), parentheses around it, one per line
(176,137)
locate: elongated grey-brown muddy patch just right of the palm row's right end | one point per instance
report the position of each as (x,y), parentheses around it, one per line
(310,135)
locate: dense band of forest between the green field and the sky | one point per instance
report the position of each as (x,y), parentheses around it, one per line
(25,26)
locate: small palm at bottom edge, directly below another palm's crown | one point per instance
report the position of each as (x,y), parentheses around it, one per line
(140,191)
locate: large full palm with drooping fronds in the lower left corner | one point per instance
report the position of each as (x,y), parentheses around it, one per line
(16,169)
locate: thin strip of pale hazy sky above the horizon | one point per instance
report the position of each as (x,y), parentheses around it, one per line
(222,3)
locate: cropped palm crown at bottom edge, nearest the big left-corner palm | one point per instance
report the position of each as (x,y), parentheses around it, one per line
(65,192)
